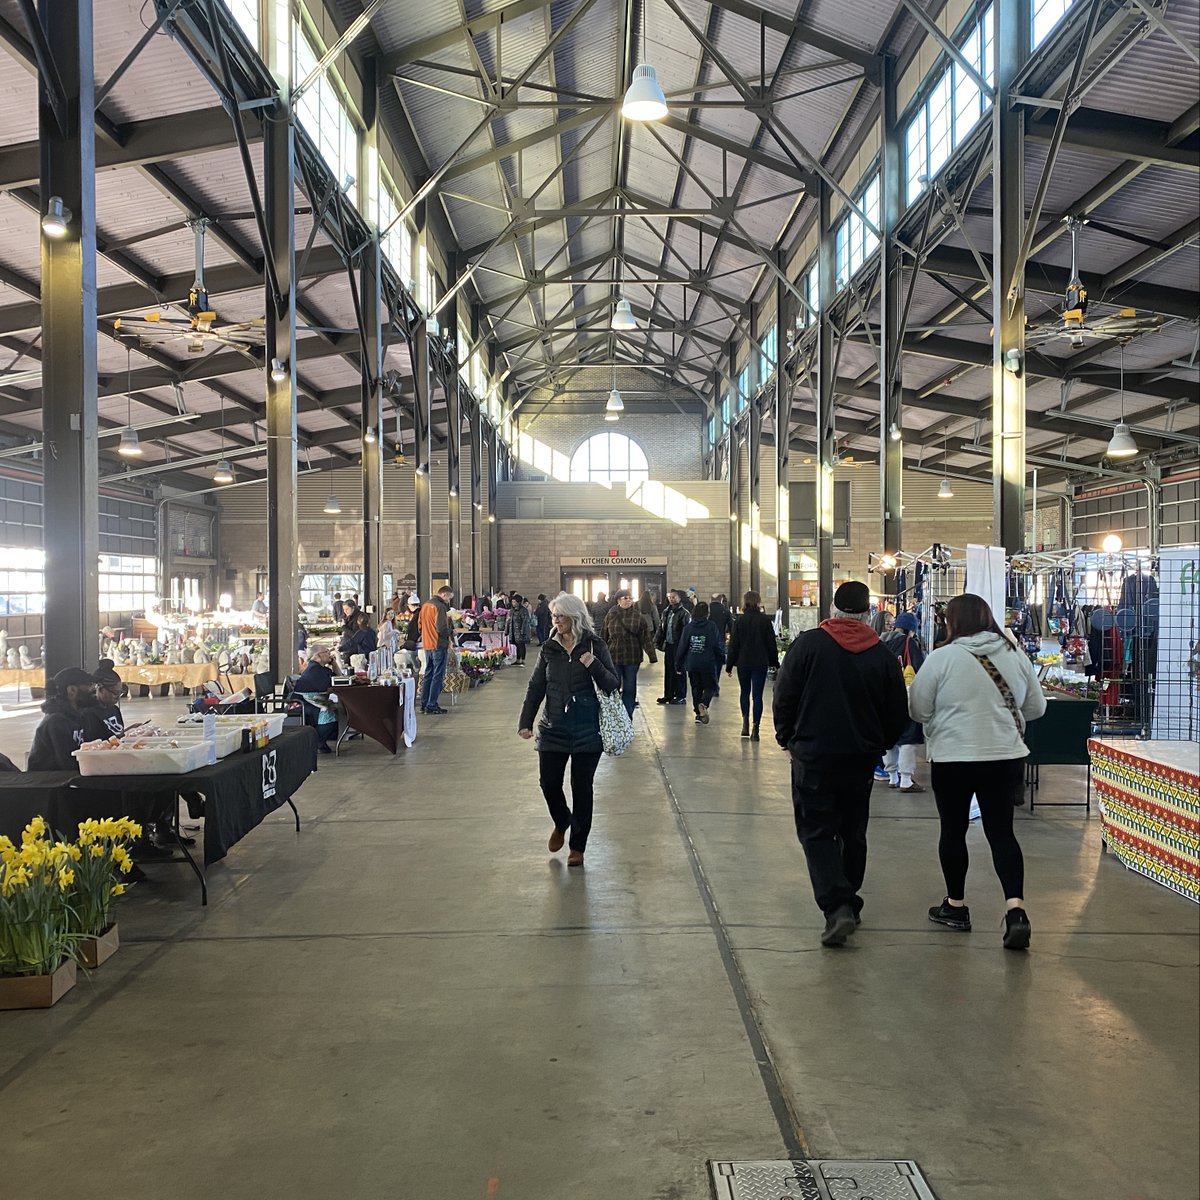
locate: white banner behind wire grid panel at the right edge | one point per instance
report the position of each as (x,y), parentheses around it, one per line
(1178,680)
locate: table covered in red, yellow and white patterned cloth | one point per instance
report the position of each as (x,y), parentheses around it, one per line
(1150,808)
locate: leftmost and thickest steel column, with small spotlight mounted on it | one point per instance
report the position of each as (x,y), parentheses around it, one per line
(71,537)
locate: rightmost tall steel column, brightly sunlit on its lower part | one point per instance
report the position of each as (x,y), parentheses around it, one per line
(1009,314)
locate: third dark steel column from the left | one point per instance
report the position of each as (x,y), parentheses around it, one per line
(370,291)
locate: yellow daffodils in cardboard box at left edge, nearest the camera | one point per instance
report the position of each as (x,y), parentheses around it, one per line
(37,938)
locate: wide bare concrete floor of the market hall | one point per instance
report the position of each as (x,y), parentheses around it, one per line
(412,999)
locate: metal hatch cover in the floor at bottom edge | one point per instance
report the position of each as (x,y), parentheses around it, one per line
(820,1180)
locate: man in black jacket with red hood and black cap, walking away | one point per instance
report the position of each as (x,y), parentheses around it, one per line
(839,703)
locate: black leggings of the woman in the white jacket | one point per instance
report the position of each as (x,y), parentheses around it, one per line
(995,785)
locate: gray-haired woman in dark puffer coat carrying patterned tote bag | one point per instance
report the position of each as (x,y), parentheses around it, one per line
(573,663)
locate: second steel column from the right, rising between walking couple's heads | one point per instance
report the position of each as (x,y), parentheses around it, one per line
(891,334)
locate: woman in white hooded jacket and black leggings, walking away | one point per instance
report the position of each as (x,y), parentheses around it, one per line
(975,697)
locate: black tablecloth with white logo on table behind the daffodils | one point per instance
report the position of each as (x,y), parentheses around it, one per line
(239,791)
